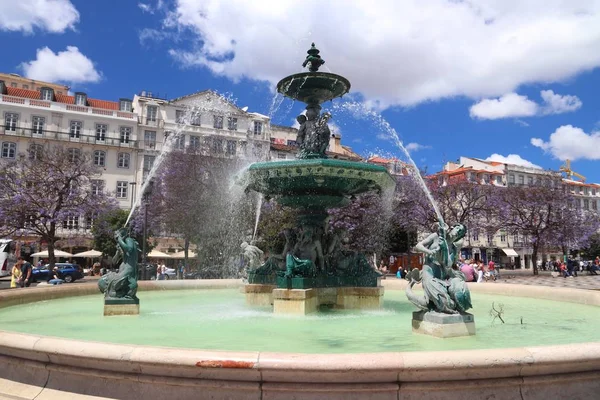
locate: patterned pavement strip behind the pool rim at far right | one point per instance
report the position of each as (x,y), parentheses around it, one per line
(545,278)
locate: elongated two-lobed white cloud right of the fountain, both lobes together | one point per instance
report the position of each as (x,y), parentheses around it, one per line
(512,105)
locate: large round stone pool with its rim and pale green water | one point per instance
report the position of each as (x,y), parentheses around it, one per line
(322,356)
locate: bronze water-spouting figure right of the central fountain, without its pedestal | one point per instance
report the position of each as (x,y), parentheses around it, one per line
(444,289)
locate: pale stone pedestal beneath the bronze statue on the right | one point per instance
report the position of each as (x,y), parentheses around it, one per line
(443,325)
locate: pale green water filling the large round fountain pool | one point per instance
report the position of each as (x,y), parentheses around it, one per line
(220,319)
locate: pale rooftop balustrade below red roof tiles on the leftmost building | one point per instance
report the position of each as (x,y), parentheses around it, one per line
(109,140)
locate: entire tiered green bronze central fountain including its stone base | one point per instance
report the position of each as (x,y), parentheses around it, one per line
(314,268)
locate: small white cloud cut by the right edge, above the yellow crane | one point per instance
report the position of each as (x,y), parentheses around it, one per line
(571,142)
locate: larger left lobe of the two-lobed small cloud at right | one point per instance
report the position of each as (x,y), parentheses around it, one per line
(507,106)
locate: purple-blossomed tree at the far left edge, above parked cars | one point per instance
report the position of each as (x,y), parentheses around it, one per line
(39,193)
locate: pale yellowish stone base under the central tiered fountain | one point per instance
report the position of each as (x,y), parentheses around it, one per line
(306,301)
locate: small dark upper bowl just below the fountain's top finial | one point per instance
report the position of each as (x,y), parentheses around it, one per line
(313,87)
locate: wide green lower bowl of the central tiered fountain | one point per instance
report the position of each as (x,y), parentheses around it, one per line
(300,182)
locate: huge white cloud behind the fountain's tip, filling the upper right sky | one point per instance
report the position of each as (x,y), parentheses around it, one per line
(395,53)
